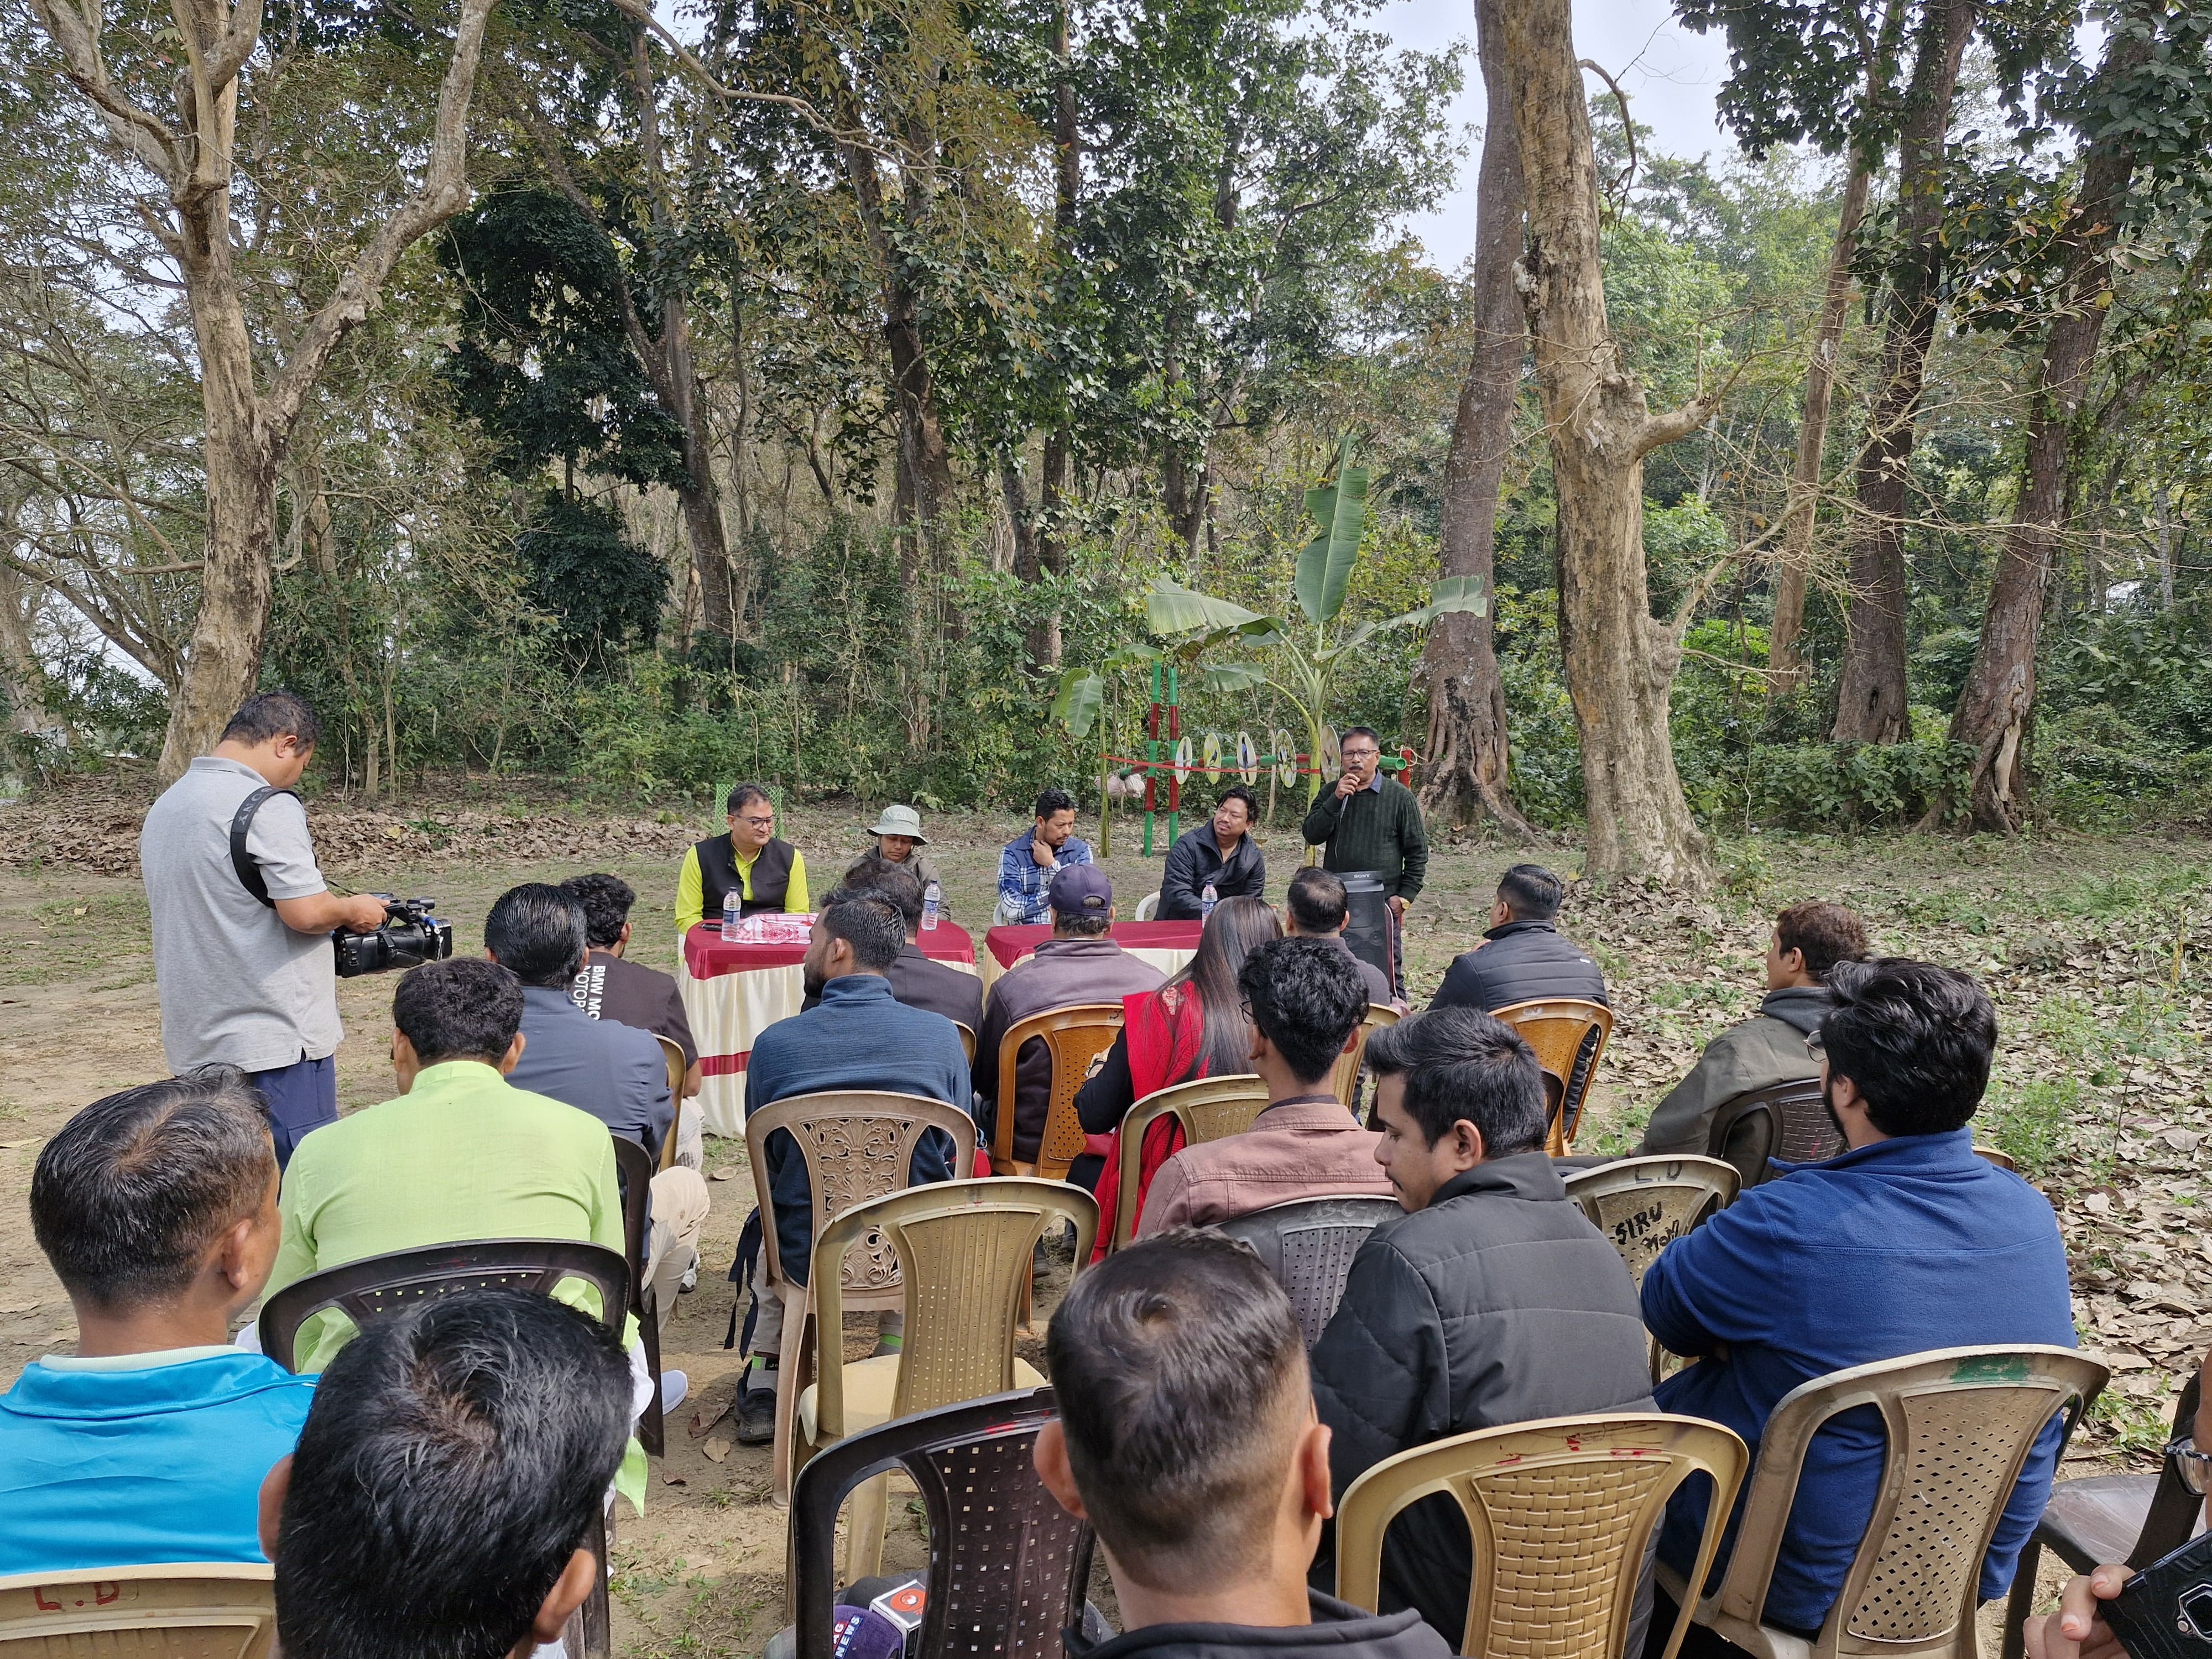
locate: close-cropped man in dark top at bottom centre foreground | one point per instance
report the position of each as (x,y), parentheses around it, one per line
(1187,1439)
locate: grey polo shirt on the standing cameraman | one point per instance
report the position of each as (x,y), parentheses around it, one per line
(238,985)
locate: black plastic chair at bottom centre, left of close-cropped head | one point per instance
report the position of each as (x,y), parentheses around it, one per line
(1008,1565)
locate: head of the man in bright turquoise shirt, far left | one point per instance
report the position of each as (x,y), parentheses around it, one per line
(132,1191)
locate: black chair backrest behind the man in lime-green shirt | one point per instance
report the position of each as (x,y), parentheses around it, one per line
(377,1286)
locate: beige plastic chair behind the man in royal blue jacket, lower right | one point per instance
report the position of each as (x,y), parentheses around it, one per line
(1961,1423)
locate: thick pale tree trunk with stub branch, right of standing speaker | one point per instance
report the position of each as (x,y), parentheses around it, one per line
(1620,660)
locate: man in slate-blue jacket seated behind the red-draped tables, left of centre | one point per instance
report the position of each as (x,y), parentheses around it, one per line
(859,1039)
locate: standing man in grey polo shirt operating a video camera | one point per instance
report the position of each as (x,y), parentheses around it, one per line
(242,943)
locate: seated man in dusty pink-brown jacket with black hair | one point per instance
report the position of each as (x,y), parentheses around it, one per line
(1306,1008)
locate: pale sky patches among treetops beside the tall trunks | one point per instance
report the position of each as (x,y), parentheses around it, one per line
(1669,74)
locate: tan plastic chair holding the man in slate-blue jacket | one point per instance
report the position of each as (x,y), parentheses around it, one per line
(857,1147)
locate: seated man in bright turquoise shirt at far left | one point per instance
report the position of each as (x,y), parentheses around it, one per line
(158,1211)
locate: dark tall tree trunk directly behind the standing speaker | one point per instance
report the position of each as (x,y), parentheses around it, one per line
(1468,700)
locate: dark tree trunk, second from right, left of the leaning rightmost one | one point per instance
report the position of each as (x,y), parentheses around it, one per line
(1872,698)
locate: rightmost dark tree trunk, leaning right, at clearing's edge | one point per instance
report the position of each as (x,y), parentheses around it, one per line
(1999,700)
